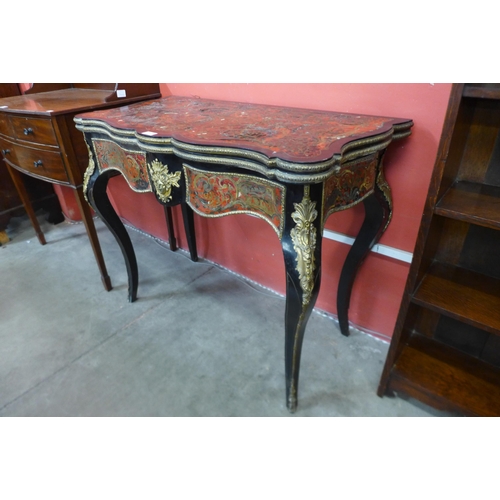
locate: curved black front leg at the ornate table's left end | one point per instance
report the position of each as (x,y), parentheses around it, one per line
(98,199)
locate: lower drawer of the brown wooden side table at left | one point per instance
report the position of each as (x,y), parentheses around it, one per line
(43,163)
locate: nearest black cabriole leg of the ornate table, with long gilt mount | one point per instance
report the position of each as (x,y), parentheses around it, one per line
(301,243)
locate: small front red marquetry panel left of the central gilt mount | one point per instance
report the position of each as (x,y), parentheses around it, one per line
(131,164)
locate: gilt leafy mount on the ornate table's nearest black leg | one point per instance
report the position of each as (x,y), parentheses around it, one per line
(304,243)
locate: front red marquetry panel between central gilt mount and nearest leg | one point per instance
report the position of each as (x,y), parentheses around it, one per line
(215,194)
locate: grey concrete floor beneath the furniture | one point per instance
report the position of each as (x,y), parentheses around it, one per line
(199,341)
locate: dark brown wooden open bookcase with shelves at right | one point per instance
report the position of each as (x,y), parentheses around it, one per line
(445,350)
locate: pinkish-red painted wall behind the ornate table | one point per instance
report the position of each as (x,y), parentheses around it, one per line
(250,247)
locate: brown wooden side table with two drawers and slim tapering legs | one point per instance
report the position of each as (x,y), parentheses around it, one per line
(38,138)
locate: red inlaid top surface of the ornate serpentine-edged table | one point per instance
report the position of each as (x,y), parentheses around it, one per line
(293,134)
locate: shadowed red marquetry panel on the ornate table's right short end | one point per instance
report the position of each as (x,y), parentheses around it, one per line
(354,181)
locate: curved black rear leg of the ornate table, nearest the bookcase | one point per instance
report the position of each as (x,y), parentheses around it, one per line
(378,210)
